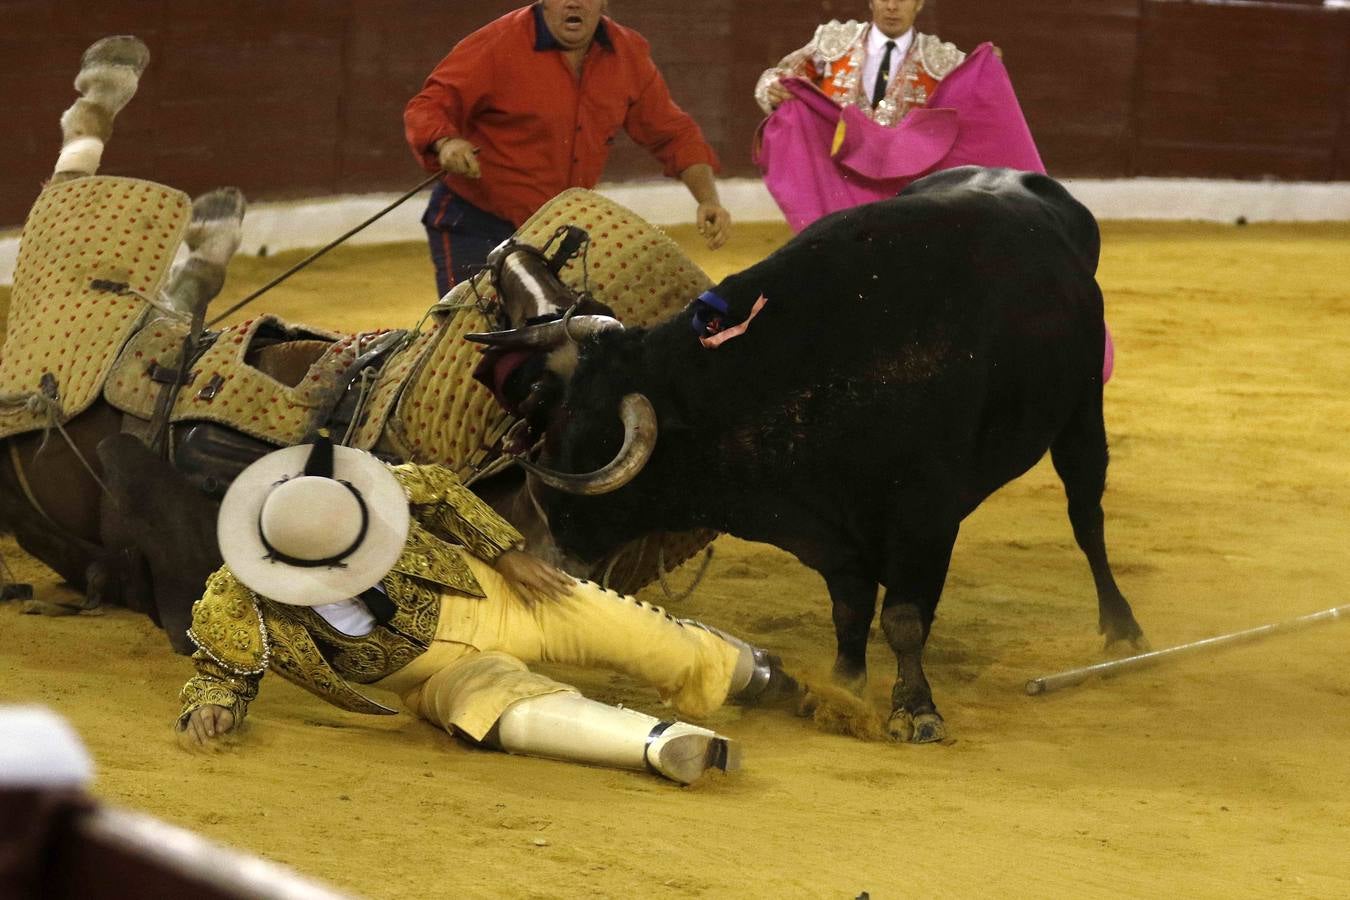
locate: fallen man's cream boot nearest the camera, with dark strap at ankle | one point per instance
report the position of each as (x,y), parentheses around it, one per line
(570,727)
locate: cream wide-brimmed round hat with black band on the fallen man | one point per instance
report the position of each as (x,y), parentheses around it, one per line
(314,524)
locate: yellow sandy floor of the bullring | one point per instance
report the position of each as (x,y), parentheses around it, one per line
(1214,778)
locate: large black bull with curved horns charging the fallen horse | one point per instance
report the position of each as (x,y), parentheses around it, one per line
(913,357)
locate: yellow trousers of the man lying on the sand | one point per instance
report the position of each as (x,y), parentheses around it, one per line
(477,665)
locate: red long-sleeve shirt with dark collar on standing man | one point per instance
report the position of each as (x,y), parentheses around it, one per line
(541,129)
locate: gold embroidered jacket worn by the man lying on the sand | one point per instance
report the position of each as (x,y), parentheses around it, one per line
(241,635)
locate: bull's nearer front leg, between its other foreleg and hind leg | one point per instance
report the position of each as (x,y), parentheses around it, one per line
(915,586)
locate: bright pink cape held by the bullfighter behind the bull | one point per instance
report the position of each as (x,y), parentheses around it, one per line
(974,118)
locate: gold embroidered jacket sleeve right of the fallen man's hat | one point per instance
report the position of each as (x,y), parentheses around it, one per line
(456,513)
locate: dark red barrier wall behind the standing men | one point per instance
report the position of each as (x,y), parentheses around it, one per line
(302,98)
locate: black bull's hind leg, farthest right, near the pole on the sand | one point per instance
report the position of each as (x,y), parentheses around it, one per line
(1081,458)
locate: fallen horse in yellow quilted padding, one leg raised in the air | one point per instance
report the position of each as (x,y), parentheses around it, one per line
(106,337)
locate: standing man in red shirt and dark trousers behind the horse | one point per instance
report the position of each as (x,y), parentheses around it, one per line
(527,107)
